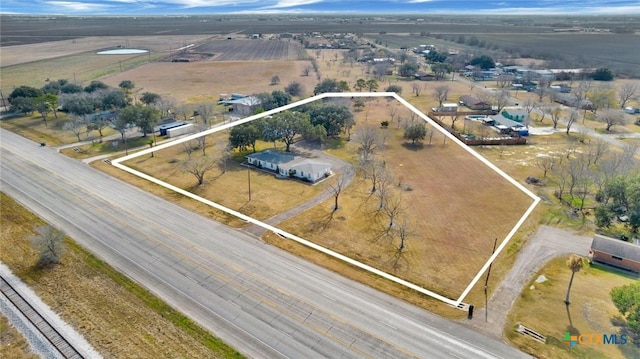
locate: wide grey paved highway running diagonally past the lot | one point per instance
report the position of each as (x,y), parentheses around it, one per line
(261,300)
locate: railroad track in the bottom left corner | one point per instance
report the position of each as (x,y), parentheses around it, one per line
(49,331)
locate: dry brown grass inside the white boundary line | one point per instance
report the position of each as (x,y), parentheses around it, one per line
(455,206)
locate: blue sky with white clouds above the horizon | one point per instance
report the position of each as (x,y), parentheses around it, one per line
(204,7)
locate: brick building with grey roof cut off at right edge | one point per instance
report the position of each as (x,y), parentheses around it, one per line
(615,252)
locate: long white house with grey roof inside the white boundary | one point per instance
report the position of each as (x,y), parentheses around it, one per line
(286,164)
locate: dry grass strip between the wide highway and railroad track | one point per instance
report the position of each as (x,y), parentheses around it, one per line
(110,316)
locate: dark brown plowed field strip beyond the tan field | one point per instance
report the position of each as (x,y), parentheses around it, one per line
(250,50)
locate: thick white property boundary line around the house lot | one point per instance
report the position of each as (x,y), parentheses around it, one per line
(117,163)
